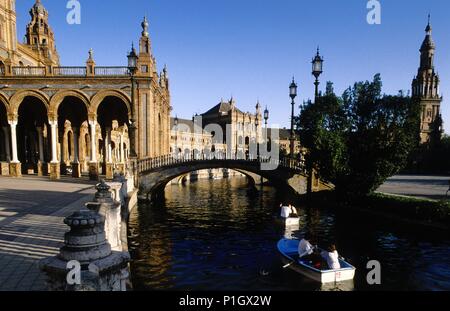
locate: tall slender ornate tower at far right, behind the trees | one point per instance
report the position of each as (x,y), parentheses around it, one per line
(425,87)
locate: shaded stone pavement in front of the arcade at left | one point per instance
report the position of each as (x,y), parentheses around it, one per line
(32,210)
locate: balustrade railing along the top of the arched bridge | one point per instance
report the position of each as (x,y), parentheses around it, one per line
(147,164)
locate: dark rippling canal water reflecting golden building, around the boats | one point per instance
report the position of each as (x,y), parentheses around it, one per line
(221,235)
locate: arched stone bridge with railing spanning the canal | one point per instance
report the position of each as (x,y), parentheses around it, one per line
(155,173)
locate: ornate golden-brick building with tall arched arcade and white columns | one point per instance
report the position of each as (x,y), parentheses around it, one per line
(86,119)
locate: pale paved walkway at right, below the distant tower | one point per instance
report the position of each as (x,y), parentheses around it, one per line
(428,187)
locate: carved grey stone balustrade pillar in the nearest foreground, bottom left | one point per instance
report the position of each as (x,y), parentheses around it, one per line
(85,246)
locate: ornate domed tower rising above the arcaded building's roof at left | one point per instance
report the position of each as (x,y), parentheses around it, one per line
(40,37)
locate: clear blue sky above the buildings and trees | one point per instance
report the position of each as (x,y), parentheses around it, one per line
(251,48)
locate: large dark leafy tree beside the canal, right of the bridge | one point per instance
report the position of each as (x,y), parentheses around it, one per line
(358,140)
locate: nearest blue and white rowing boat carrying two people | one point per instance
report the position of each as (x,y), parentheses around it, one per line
(289,251)
